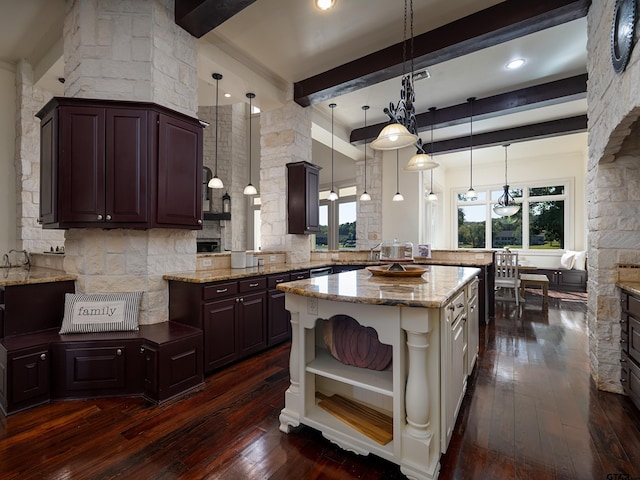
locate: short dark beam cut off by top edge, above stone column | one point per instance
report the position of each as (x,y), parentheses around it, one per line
(199,17)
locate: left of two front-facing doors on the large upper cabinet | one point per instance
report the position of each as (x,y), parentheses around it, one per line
(81,167)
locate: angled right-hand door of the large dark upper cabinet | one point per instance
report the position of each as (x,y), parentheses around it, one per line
(179,172)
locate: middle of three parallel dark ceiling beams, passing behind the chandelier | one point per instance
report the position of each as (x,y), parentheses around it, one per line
(529,98)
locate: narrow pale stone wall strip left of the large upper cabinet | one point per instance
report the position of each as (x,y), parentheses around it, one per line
(29,100)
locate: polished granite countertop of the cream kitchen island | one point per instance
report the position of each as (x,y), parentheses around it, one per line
(431,290)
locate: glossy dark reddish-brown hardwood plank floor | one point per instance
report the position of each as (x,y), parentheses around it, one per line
(531,412)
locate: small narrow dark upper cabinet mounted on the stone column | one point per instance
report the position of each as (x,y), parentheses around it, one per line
(303,197)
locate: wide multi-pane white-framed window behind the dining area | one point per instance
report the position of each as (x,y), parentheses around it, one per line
(541,223)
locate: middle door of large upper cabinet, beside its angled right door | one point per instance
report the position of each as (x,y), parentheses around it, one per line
(126,166)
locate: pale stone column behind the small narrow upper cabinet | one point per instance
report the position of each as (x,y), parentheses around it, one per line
(285,137)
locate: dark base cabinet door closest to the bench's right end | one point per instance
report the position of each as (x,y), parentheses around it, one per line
(219,328)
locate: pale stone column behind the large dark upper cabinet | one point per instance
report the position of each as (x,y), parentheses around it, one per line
(123,50)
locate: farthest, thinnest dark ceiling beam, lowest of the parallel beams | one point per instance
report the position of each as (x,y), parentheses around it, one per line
(553,128)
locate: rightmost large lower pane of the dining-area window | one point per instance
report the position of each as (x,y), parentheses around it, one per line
(546,224)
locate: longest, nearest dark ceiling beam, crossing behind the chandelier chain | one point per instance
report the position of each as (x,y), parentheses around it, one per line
(500,23)
